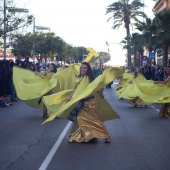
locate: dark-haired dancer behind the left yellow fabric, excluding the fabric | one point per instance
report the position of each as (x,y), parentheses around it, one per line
(47,75)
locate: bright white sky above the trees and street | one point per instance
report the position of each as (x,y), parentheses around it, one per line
(82,23)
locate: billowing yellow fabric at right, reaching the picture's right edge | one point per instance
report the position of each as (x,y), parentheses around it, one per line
(146,90)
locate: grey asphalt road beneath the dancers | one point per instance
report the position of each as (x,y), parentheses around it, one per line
(140,140)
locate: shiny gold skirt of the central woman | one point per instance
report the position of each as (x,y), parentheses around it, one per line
(88,124)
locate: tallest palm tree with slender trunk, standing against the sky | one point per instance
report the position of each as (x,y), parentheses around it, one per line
(123,13)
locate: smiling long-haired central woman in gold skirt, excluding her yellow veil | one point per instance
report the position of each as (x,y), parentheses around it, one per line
(88,124)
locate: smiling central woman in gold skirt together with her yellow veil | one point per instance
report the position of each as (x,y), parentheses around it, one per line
(88,124)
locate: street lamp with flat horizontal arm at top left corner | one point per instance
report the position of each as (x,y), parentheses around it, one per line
(10,9)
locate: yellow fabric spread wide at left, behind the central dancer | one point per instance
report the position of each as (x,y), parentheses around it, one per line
(30,87)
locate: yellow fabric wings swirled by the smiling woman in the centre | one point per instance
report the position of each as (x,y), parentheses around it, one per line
(56,103)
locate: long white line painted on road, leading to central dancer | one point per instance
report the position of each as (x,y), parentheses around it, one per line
(49,157)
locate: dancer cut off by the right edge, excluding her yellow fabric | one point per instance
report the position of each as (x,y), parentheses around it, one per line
(165,108)
